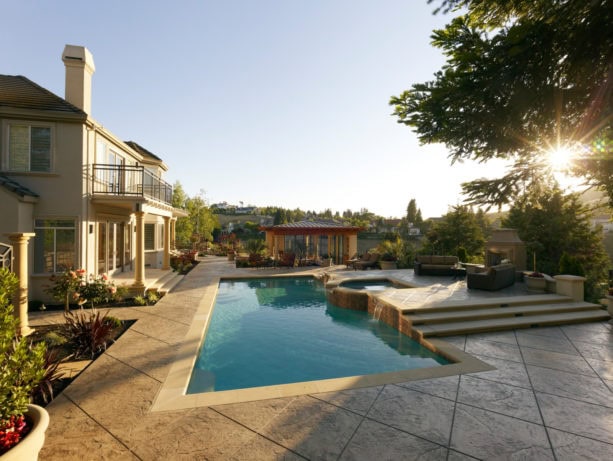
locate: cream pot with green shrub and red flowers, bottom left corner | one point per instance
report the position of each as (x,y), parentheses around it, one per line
(22,426)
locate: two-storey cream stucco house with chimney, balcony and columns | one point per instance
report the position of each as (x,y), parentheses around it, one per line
(91,200)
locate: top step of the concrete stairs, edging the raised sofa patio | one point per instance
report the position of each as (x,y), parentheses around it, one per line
(486,303)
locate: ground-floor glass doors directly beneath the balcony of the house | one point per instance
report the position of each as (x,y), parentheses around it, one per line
(114,246)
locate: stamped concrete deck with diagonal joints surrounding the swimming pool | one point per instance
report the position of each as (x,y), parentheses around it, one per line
(550,397)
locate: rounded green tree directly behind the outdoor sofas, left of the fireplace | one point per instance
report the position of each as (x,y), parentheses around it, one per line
(459,228)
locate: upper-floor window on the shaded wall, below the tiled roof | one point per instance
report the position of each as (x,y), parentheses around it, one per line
(29,148)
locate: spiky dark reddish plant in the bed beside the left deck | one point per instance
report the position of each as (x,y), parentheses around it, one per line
(88,331)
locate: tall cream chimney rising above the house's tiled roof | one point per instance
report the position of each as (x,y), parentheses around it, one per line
(80,67)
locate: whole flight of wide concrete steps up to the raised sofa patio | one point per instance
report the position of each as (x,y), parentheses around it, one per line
(502,314)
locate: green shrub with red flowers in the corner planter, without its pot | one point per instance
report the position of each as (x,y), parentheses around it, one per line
(21,369)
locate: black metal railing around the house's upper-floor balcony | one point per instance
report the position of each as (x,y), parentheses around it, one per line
(129,180)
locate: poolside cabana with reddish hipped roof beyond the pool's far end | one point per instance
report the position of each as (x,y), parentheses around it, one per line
(313,241)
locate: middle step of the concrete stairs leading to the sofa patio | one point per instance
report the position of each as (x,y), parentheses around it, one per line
(485,313)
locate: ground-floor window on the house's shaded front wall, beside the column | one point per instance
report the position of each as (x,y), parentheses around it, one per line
(55,245)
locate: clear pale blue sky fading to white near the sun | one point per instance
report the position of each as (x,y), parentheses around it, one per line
(261,102)
